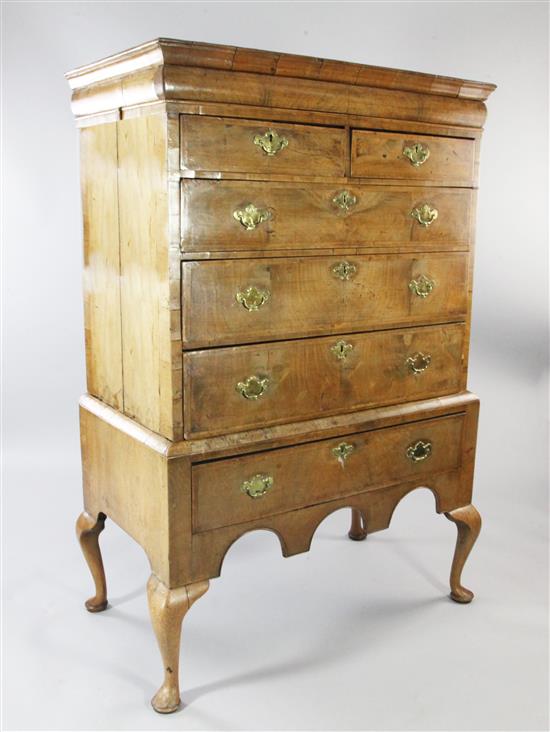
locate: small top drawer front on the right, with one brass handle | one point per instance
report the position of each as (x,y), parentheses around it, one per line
(403,157)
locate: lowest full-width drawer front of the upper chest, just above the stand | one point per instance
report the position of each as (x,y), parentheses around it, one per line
(234,389)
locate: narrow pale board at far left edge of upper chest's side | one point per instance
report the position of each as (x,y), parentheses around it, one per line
(102,318)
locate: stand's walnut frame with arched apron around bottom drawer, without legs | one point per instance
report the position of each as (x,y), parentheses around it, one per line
(136,496)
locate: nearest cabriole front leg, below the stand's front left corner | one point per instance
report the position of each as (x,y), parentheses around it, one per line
(167,609)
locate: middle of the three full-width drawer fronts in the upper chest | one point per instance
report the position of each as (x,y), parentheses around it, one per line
(247,301)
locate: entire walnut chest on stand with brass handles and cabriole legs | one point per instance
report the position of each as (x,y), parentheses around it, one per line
(277,271)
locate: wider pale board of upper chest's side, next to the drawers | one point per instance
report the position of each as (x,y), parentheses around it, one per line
(150,376)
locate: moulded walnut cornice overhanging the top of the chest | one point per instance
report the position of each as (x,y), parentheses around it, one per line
(166,70)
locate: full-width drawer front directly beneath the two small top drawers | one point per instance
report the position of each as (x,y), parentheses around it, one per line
(238,215)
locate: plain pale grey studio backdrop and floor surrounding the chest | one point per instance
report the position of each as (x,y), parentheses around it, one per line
(349,636)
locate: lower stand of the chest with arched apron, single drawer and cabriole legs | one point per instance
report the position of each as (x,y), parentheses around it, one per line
(149,487)
